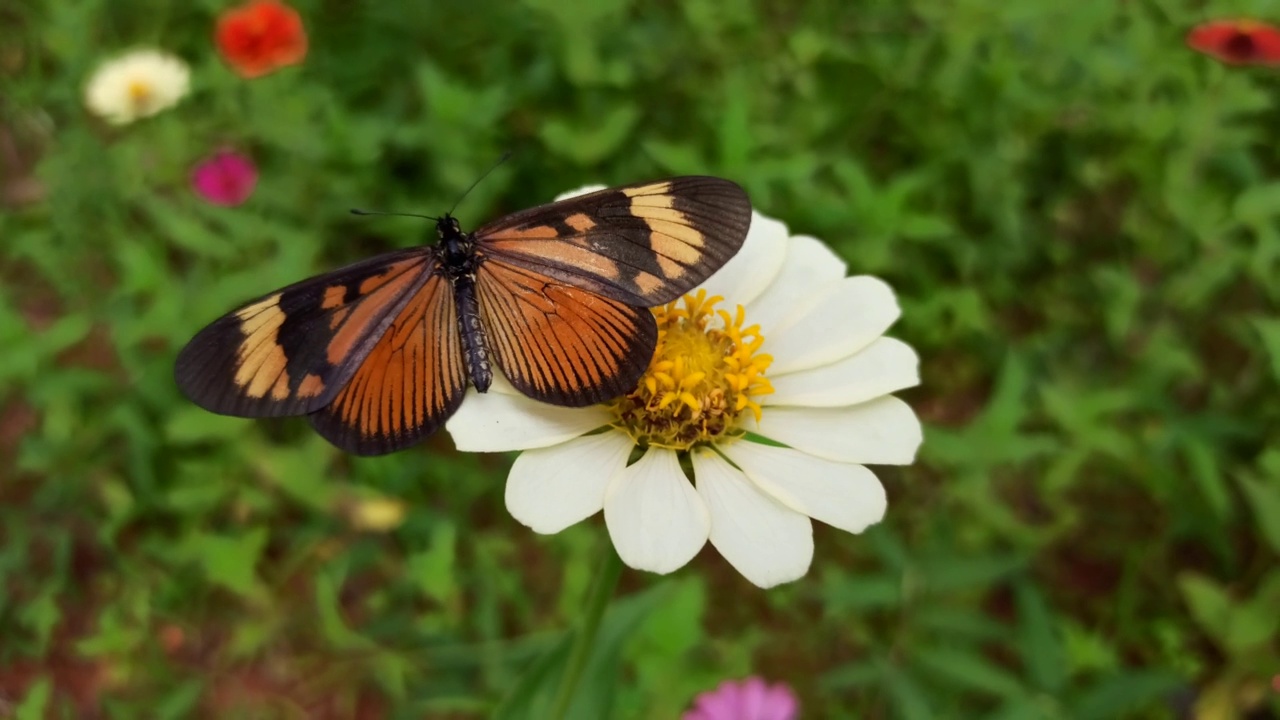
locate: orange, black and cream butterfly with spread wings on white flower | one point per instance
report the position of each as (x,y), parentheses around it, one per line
(380,354)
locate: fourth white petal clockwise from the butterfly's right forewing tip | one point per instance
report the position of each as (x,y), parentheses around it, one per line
(884,367)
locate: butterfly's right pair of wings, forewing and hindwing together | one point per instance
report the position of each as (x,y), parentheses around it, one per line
(565,289)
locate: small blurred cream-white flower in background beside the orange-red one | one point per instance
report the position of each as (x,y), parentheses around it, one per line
(136,85)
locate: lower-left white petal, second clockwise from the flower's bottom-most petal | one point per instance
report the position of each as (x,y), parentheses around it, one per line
(555,487)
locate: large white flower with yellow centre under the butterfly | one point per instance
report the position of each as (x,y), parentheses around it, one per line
(799,361)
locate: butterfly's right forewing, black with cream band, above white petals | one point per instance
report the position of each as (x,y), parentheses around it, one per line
(642,244)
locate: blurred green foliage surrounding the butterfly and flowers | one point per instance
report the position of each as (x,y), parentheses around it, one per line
(1078,215)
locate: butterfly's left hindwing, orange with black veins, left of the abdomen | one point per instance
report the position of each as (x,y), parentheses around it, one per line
(412,381)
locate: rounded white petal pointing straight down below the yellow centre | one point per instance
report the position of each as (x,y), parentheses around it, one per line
(655,516)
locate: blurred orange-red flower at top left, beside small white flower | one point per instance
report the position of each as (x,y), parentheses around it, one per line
(262,37)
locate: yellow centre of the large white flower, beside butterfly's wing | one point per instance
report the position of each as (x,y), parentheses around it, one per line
(705,375)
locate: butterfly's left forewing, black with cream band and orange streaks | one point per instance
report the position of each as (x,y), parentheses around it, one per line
(292,352)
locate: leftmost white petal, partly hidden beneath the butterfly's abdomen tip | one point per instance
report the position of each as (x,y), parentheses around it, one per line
(495,422)
